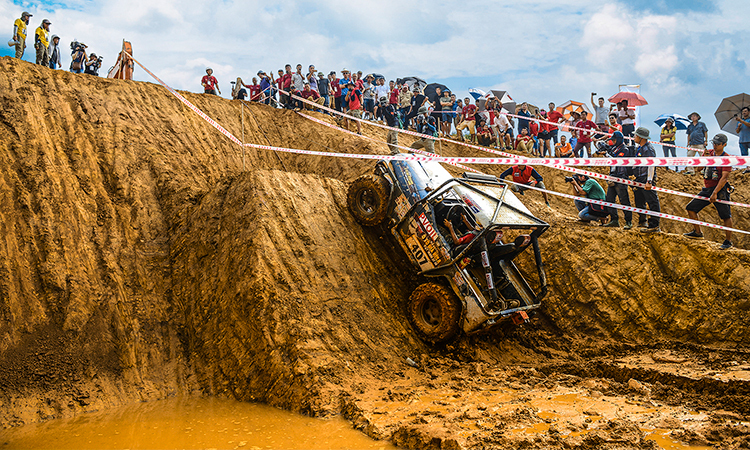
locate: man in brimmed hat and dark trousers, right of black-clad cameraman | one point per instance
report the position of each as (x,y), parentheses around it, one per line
(647,175)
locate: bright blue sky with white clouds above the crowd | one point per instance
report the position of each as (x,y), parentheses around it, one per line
(686,54)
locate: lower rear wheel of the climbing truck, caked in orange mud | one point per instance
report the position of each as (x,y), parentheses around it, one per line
(434,312)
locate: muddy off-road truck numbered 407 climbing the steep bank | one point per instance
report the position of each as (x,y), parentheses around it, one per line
(426,209)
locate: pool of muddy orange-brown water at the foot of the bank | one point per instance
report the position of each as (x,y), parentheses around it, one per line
(191,423)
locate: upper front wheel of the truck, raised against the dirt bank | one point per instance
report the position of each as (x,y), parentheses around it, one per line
(368,199)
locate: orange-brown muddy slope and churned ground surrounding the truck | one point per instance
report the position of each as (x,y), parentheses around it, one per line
(139,261)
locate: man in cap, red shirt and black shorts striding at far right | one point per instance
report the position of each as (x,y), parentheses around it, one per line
(716,182)
